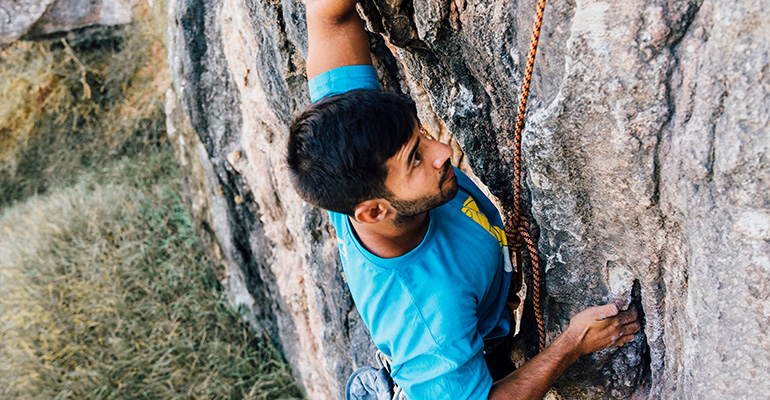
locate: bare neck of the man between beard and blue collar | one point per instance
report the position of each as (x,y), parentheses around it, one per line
(387,239)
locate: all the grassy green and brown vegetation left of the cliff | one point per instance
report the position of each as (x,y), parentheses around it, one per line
(106,291)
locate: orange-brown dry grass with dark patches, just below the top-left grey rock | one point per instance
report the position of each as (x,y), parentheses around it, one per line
(94,103)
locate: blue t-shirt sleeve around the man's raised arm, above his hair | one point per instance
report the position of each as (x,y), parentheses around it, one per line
(343,79)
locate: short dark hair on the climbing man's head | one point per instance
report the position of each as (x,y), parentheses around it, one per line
(339,145)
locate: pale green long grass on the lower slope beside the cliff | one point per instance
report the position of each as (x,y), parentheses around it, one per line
(107,294)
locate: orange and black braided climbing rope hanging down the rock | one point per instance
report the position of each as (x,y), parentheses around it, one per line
(521,232)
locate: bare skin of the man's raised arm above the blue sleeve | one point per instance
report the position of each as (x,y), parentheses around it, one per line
(336,36)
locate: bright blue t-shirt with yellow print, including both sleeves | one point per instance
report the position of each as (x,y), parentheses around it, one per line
(431,309)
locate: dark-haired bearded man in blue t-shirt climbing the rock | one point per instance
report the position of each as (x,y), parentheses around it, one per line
(422,248)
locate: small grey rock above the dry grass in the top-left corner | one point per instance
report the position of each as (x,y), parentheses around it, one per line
(34,19)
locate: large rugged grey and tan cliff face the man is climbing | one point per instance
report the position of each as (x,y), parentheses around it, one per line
(646,171)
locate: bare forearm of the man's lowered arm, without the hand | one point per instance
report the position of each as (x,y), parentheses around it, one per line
(533,379)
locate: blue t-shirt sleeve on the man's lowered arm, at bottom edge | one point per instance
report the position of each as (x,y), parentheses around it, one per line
(435,376)
